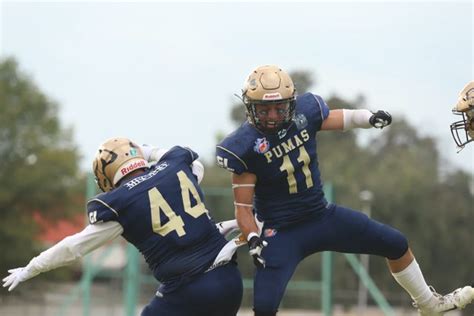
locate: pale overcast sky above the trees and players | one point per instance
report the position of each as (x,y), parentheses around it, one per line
(164,73)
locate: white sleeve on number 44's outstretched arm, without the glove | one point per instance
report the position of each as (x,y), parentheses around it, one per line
(74,247)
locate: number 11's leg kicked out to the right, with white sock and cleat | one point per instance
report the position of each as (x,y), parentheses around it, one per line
(364,235)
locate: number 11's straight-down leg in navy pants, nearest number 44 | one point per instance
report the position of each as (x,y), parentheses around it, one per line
(282,255)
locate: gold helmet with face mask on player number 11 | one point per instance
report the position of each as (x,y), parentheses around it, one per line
(268,85)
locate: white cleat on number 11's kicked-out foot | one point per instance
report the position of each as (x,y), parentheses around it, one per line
(458,299)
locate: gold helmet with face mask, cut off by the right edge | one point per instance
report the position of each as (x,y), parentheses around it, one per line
(463,130)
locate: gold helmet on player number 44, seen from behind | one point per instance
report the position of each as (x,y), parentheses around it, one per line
(116,158)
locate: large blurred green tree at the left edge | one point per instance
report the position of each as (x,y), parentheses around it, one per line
(38,165)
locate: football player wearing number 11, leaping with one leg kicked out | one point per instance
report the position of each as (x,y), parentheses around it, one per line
(274,164)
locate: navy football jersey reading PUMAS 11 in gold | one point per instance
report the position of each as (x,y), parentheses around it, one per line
(286,164)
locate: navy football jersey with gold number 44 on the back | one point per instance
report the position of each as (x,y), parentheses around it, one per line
(163,216)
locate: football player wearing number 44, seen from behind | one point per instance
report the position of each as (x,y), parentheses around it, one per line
(158,207)
